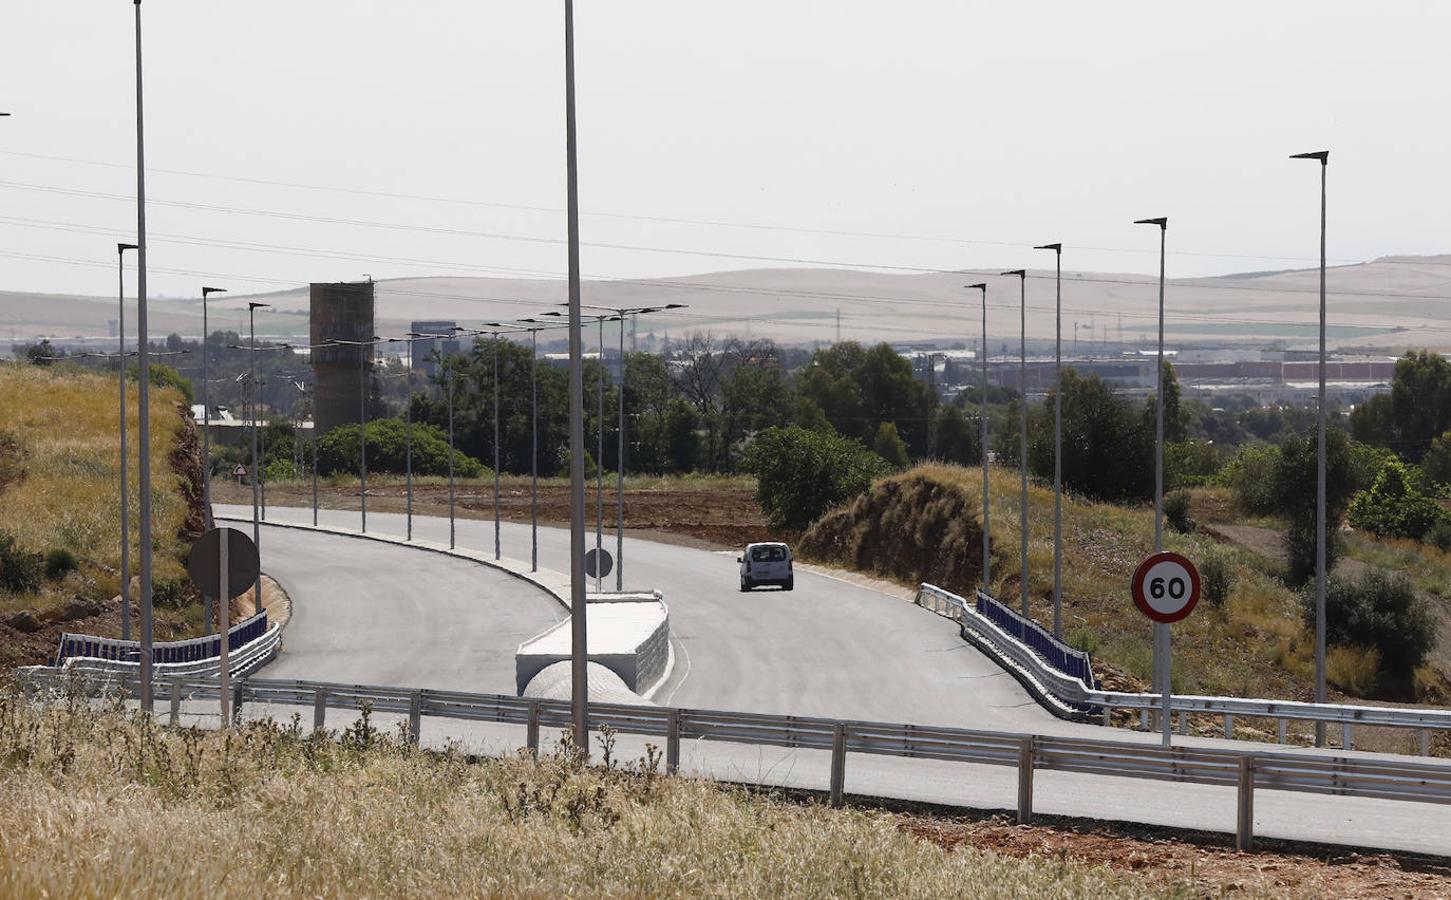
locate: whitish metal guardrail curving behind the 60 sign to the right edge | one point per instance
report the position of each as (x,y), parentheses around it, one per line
(1073,693)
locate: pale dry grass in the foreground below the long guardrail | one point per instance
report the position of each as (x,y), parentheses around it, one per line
(105,803)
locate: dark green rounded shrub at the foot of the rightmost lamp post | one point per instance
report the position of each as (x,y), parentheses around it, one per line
(1379,612)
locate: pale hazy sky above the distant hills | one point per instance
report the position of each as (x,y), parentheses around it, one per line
(958,133)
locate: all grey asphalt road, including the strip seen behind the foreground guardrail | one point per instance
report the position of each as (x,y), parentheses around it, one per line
(829,648)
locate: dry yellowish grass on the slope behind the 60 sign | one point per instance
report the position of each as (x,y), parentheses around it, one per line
(1256,645)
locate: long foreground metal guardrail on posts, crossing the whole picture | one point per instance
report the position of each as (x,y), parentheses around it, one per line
(1244,770)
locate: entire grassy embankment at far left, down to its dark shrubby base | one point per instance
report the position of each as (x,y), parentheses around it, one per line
(60,491)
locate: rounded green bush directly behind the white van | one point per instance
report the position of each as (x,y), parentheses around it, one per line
(803,474)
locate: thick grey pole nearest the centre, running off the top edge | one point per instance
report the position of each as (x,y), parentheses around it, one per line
(580,645)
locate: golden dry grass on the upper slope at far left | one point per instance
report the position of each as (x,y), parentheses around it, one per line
(65,427)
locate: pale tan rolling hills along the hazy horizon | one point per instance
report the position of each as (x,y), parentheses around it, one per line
(1391,303)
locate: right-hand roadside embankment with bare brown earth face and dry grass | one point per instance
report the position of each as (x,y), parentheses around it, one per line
(925,525)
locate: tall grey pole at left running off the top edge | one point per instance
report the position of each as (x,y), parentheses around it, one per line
(143,382)
